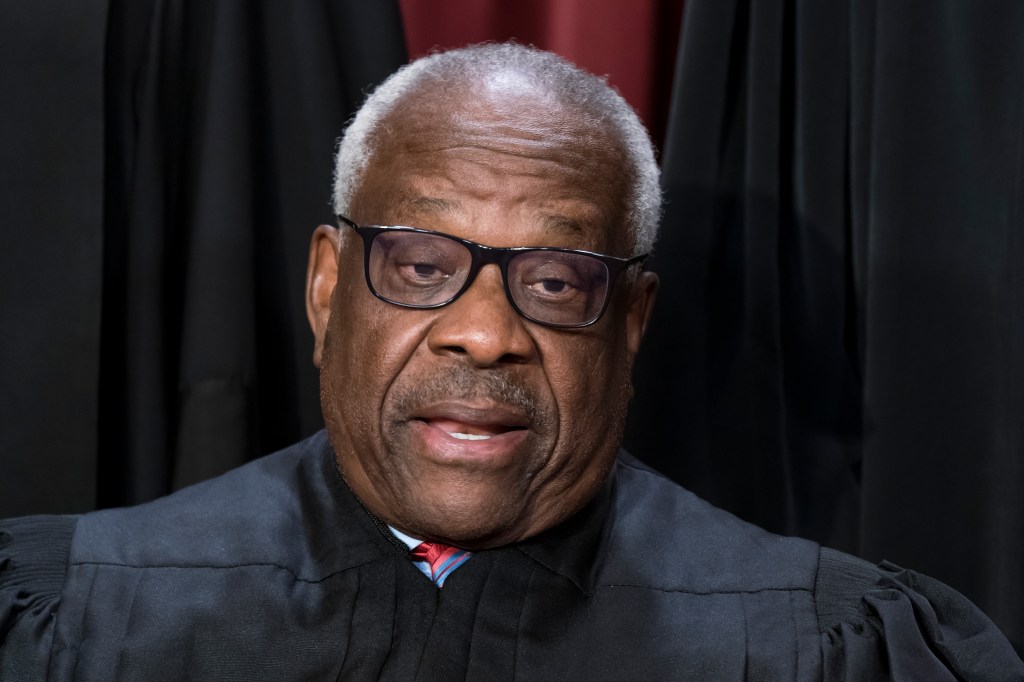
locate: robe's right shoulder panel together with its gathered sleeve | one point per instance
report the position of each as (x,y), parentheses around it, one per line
(873,621)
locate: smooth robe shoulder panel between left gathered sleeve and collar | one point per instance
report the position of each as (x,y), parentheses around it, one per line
(254,515)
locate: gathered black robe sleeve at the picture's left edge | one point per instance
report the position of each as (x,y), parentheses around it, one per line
(34,555)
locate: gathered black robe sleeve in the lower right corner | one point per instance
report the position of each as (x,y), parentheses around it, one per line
(886,623)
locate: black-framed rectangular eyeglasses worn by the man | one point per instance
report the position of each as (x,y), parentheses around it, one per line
(421,269)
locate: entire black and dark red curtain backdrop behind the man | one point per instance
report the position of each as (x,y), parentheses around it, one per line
(838,350)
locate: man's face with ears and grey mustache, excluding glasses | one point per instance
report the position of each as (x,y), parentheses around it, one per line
(468,424)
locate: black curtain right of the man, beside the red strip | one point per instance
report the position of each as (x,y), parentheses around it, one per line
(838,349)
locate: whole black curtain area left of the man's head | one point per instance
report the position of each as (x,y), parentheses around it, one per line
(163,164)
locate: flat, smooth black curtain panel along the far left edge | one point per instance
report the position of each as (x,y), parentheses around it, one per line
(52,168)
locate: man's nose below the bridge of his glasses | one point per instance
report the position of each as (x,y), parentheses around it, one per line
(483,326)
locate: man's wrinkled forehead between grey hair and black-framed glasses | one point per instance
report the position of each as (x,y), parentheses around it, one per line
(506,150)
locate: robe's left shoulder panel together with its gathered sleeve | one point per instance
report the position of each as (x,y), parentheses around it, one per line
(276,513)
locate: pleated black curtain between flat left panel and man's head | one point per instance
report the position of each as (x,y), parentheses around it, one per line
(225,124)
